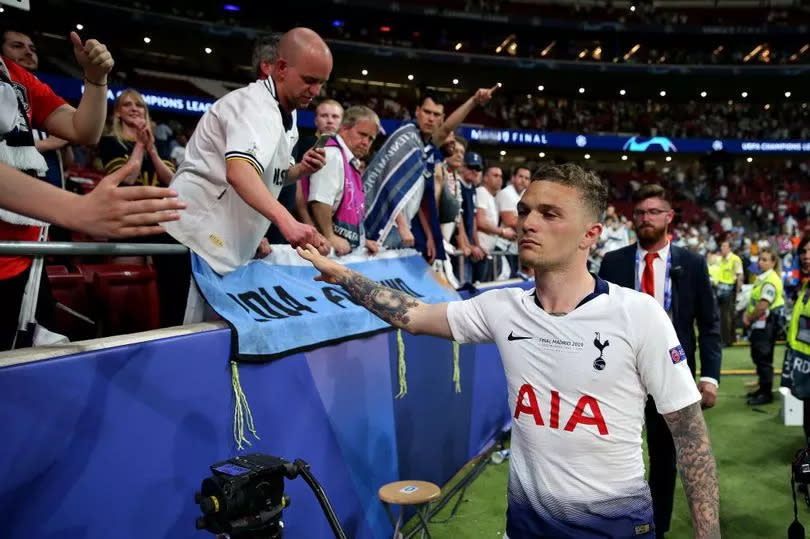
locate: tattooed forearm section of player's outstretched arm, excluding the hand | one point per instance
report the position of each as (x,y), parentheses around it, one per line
(391,305)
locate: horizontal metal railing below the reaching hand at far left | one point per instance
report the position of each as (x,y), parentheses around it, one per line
(59,248)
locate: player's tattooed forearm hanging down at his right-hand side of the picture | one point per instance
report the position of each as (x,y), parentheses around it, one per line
(698,469)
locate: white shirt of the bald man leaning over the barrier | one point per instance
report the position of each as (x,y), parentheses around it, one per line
(246,124)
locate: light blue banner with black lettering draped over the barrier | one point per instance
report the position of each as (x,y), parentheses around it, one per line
(275,307)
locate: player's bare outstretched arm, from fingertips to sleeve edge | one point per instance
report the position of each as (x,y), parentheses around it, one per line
(397,308)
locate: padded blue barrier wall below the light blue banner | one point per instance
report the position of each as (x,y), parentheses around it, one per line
(113,443)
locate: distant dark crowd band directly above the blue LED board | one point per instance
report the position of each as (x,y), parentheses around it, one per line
(741,120)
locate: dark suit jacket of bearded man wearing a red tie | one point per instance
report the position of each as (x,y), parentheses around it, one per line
(692,301)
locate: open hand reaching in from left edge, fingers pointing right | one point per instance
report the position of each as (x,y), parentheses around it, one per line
(109,211)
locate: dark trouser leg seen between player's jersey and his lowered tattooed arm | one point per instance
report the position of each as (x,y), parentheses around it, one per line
(663,469)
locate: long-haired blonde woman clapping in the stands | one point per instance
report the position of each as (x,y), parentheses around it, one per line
(132,126)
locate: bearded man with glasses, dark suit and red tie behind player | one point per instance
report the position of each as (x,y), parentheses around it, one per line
(679,281)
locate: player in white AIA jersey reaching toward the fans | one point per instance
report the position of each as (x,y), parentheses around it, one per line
(580,356)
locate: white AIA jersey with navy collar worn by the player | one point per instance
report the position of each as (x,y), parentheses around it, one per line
(577,385)
